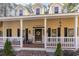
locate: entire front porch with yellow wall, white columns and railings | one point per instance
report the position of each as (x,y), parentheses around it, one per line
(41,32)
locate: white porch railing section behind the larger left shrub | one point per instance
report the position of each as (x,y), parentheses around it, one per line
(15,41)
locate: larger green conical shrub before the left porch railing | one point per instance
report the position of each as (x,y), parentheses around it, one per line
(8,51)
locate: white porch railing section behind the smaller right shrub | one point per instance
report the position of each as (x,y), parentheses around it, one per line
(66,42)
